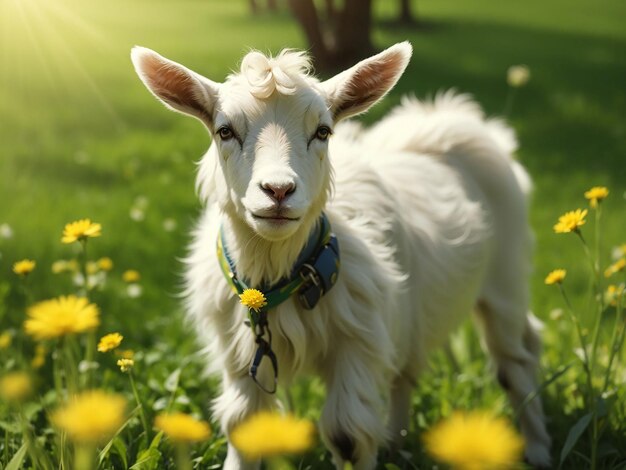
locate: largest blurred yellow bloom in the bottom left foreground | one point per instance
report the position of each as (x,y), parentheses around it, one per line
(91,417)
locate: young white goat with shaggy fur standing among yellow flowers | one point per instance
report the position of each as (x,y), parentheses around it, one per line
(430,213)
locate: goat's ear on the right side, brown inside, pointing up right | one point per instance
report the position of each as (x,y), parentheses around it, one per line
(356,89)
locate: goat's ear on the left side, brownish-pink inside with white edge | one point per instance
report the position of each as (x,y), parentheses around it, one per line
(178,87)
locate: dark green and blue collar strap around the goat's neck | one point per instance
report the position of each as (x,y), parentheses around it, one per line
(314,273)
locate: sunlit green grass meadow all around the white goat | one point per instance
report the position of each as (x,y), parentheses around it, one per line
(81,138)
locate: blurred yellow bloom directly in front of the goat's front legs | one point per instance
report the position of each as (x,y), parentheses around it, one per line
(289,435)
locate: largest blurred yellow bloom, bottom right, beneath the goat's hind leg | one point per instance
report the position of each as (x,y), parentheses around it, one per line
(474,441)
